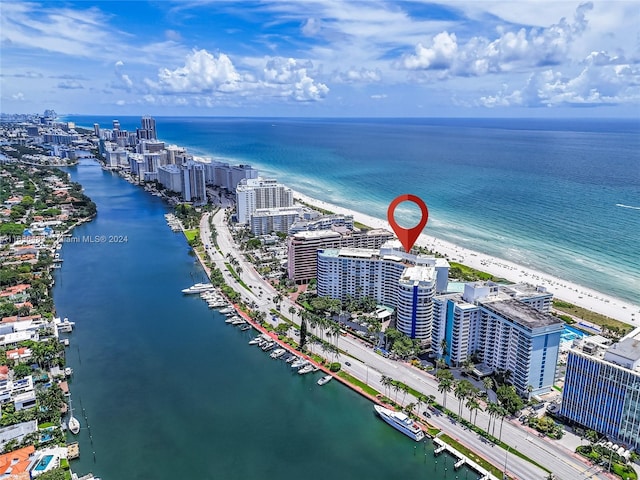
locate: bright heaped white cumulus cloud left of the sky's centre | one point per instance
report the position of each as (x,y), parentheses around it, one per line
(202,72)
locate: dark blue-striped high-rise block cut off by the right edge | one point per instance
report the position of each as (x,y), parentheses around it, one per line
(602,388)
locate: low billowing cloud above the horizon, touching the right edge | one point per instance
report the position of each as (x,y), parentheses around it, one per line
(604,80)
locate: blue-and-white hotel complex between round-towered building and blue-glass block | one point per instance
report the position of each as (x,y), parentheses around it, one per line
(507,327)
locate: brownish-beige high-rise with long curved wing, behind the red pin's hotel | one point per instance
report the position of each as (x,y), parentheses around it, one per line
(303,246)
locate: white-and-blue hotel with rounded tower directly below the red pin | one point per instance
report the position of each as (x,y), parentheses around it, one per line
(394,278)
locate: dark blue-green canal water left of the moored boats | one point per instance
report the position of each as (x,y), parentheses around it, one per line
(165,389)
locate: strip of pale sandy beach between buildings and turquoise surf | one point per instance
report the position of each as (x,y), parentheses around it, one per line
(562,289)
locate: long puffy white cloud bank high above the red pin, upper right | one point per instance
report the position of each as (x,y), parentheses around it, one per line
(524,48)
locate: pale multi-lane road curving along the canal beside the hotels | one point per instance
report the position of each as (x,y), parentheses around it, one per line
(368,366)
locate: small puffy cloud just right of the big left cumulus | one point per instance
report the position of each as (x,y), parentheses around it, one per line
(291,78)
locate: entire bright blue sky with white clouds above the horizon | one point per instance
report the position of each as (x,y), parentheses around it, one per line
(534,58)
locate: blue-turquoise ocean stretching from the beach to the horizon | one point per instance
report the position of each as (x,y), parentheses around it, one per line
(560,196)
